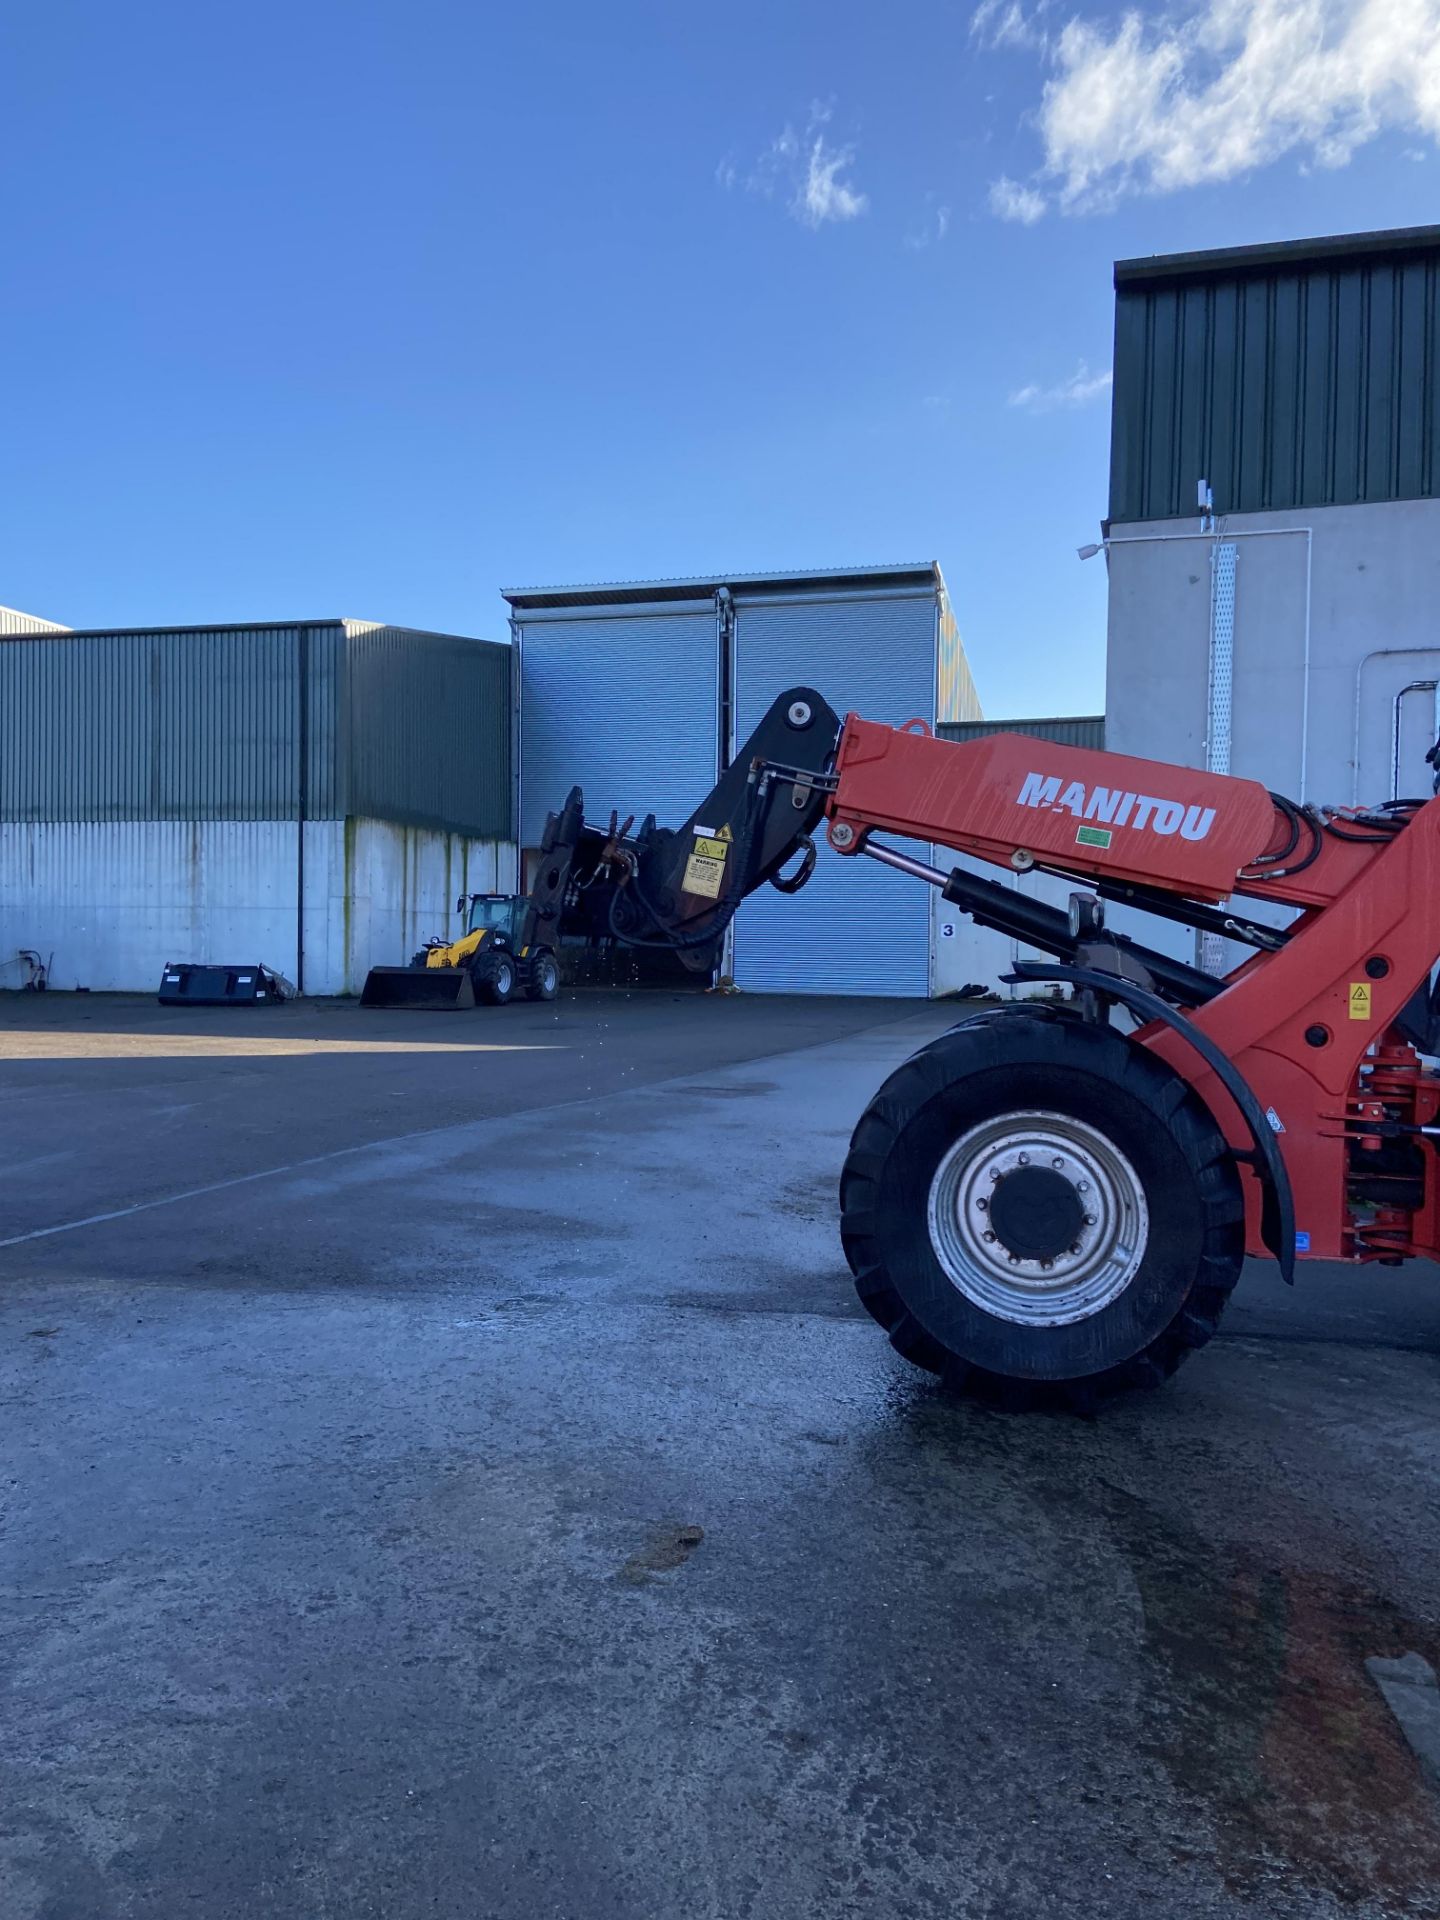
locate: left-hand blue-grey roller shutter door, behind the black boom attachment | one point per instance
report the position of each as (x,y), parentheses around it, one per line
(623,706)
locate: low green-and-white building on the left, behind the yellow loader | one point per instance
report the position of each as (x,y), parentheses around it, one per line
(310,796)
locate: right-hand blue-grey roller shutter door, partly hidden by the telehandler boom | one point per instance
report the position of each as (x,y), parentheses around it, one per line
(859,926)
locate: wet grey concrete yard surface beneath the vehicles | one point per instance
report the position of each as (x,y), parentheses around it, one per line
(446,1472)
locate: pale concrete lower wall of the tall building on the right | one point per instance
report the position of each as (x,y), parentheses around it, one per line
(1374,585)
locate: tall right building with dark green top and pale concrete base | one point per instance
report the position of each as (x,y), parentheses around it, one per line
(1289,633)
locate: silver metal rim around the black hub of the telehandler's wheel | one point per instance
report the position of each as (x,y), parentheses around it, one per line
(1078,1282)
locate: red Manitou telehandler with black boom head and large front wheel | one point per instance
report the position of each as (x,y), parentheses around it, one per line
(1044,1201)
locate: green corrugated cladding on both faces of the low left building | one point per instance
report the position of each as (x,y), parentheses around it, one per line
(204,725)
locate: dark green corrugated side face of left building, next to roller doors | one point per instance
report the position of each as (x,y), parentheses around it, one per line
(429,731)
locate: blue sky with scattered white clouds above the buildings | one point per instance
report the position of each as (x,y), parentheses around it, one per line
(375,308)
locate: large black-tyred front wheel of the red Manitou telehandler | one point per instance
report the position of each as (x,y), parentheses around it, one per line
(1040,1209)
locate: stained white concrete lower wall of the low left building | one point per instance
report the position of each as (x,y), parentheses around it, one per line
(118,901)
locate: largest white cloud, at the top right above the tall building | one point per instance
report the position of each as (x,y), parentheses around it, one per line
(1214,93)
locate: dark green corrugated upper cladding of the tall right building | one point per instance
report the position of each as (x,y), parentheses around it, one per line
(1282,385)
